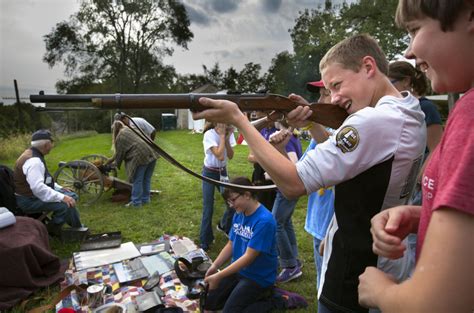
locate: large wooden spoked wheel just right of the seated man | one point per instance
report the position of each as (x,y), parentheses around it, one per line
(83,177)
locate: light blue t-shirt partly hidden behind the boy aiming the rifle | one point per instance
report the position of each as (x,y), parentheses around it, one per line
(320,207)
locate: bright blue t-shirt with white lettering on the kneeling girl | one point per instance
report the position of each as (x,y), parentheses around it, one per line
(257,231)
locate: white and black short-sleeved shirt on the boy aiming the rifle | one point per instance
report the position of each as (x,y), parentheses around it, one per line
(372,160)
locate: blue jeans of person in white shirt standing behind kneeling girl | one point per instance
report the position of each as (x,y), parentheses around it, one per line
(206,235)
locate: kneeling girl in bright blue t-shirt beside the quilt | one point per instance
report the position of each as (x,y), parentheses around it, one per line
(246,284)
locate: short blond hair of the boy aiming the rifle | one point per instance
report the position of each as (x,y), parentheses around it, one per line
(350,52)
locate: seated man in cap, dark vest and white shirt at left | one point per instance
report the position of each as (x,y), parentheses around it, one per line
(35,189)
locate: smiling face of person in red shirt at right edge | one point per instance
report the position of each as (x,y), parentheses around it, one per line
(445,57)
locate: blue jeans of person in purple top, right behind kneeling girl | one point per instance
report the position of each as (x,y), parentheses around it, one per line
(286,239)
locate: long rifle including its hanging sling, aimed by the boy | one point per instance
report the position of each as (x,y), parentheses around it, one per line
(322,113)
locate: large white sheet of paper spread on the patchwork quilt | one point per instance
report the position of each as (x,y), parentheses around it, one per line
(87,259)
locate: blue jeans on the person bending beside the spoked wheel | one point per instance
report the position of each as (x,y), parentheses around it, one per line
(142,184)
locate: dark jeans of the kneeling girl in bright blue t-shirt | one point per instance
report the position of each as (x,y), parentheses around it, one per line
(236,293)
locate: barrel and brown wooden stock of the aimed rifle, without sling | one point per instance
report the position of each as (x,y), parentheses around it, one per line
(323,113)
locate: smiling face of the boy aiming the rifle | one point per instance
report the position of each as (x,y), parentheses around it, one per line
(349,89)
